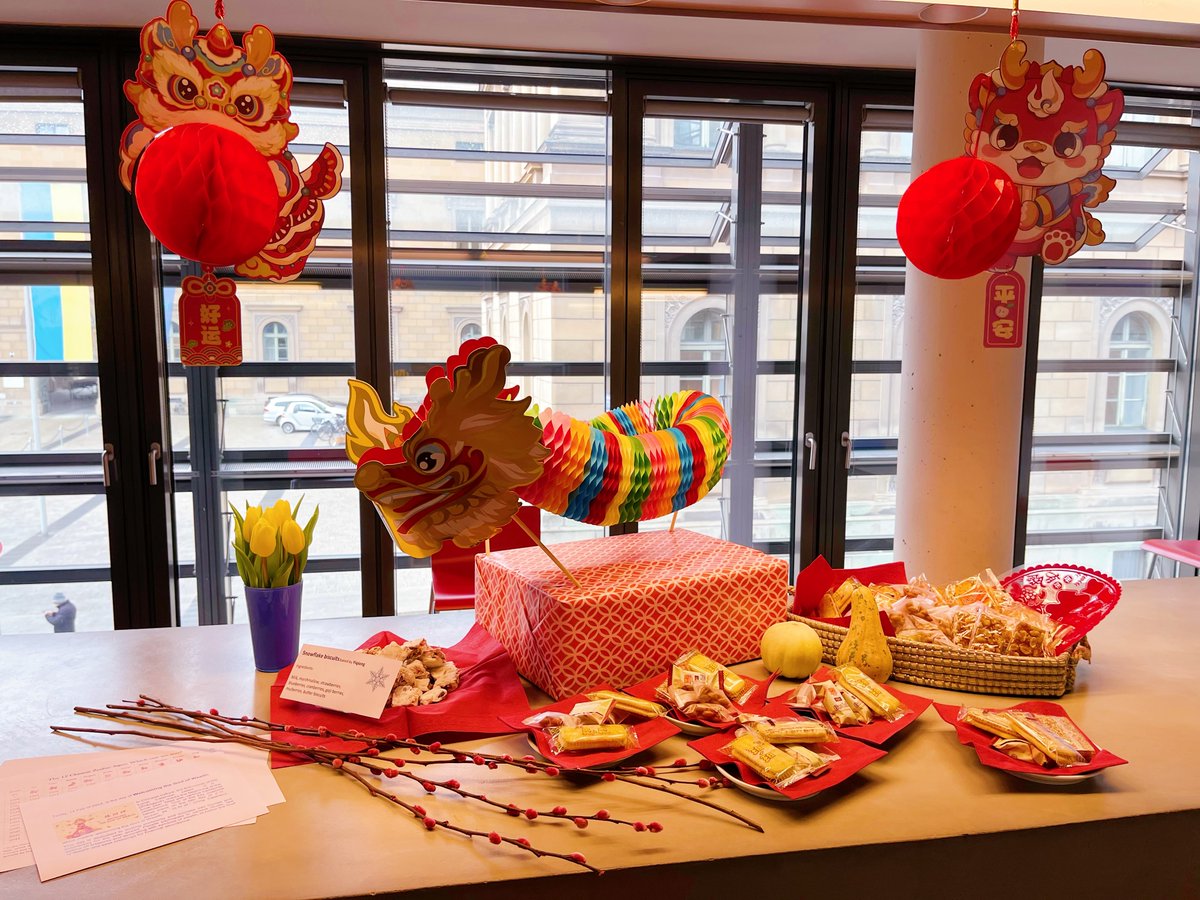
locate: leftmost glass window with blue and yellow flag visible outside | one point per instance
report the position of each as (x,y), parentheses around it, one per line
(55,551)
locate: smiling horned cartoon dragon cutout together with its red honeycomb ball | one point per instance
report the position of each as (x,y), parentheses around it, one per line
(1046,131)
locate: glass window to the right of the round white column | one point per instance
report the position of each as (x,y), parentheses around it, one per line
(1113,386)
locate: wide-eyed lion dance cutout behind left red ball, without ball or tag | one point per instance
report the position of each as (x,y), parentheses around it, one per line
(188,77)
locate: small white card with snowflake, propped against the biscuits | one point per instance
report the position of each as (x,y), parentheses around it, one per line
(346,681)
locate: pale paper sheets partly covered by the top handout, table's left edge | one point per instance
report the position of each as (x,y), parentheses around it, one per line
(22,781)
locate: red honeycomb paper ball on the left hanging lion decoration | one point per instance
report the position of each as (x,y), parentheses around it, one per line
(207,194)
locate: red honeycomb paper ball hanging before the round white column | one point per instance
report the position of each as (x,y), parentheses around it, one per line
(959,218)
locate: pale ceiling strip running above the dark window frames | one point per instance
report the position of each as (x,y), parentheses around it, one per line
(1162,45)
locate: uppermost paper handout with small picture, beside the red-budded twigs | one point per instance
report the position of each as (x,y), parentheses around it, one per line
(123,817)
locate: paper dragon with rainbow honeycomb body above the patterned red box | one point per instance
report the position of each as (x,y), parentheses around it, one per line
(459,467)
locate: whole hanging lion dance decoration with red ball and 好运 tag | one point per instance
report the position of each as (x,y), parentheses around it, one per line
(209,166)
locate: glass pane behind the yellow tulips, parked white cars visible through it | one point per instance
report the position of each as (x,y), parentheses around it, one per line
(272,429)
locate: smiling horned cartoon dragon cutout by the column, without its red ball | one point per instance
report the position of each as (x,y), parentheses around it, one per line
(1051,129)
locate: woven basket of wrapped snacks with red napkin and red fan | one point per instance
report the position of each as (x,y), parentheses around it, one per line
(1021,635)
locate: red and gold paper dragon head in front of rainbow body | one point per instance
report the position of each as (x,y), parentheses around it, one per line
(451,470)
